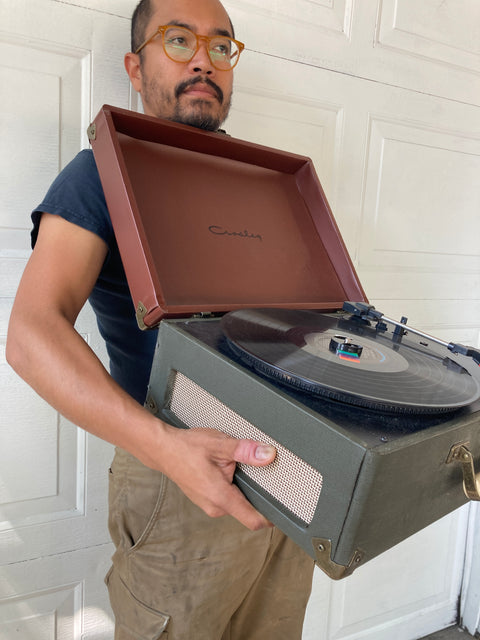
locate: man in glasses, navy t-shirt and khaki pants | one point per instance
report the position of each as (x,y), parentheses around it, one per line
(194,560)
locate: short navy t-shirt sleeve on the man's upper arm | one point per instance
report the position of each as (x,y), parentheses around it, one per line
(77,196)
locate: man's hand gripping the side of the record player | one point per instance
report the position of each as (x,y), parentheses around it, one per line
(202,463)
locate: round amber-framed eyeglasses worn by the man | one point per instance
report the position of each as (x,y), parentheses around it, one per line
(181,44)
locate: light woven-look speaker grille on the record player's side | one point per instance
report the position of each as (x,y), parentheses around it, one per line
(289,479)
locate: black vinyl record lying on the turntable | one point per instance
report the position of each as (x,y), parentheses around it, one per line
(349,360)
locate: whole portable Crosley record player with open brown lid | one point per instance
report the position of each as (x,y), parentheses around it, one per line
(231,249)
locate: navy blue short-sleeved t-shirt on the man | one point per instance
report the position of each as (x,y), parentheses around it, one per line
(77,196)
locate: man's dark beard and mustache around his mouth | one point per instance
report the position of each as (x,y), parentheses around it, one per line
(199,113)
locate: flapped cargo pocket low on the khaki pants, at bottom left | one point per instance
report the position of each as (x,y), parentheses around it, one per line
(133,619)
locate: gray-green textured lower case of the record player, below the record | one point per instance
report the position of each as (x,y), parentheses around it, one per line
(348,483)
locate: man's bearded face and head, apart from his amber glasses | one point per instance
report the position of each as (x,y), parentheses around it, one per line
(195,92)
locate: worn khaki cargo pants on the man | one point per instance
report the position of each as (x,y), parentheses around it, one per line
(179,575)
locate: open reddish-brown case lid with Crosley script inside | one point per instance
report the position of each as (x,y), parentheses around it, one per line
(209,223)
